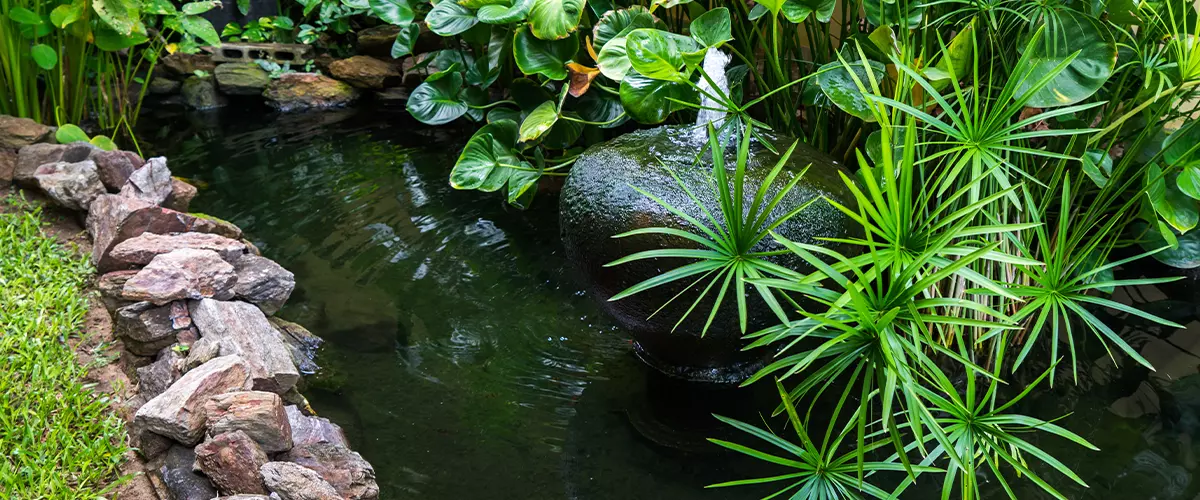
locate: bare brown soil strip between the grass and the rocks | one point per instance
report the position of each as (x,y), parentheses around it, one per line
(97,347)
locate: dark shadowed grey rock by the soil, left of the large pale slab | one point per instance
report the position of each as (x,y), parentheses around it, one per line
(147,329)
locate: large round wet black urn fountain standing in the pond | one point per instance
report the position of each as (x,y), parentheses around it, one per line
(599,201)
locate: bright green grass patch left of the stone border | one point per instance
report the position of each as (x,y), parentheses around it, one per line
(59,439)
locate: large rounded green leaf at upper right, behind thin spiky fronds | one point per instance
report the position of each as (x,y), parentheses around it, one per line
(1070,34)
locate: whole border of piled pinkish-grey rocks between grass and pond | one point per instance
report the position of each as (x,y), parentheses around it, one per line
(217,412)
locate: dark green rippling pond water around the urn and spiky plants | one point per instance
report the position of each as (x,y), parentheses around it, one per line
(465,360)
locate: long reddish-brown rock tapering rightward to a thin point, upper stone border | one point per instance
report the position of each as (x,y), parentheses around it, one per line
(115,219)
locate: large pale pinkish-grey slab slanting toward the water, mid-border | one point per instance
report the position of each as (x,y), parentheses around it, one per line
(243,329)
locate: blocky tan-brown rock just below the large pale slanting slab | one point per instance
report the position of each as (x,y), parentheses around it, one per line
(256,413)
